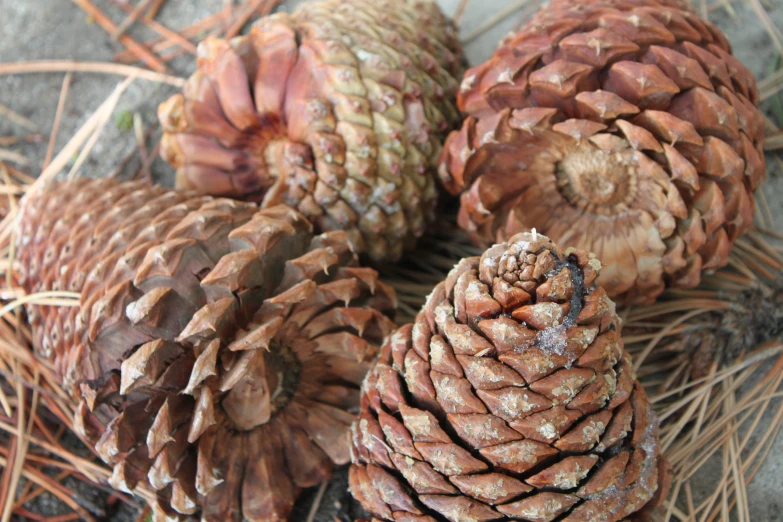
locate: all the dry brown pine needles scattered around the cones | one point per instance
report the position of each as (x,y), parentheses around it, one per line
(730,413)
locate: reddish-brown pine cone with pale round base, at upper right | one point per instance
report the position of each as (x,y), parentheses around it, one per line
(623,127)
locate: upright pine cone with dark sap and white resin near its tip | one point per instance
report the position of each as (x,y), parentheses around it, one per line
(510,396)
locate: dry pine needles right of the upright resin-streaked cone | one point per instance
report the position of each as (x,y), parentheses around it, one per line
(718,415)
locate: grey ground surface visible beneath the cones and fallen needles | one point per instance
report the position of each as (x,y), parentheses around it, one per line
(56,29)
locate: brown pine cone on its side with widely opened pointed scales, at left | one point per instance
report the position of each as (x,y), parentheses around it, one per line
(218,349)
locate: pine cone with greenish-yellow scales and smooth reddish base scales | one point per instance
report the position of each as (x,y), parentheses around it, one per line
(338,110)
